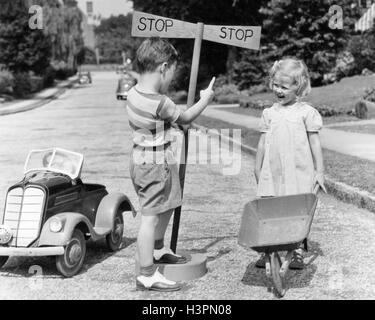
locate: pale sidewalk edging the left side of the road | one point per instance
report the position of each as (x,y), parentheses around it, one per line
(39,99)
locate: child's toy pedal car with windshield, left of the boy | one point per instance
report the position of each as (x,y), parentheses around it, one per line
(51,212)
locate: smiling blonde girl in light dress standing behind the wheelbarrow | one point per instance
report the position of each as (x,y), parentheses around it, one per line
(289,157)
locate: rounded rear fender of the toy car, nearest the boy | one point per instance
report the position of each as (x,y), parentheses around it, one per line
(109,206)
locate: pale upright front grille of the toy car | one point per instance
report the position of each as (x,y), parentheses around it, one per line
(23,213)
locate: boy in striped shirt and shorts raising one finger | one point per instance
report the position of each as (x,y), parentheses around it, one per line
(153,169)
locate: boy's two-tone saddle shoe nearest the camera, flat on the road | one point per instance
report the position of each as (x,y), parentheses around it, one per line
(156,282)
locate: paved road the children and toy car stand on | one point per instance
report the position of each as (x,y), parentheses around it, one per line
(89,120)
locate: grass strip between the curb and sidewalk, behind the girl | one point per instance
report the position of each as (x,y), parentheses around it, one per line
(353,171)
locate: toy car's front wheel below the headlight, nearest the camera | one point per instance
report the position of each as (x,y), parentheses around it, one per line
(71,261)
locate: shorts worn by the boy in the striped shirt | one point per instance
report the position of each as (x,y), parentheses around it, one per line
(156,184)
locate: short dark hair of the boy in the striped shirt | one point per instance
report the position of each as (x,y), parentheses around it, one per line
(153,52)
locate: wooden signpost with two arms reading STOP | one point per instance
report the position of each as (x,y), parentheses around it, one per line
(148,25)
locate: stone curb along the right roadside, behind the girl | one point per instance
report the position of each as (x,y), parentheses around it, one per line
(339,190)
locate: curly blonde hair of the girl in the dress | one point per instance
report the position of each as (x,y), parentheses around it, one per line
(295,69)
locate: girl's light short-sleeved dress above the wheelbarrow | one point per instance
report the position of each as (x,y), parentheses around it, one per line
(288,166)
